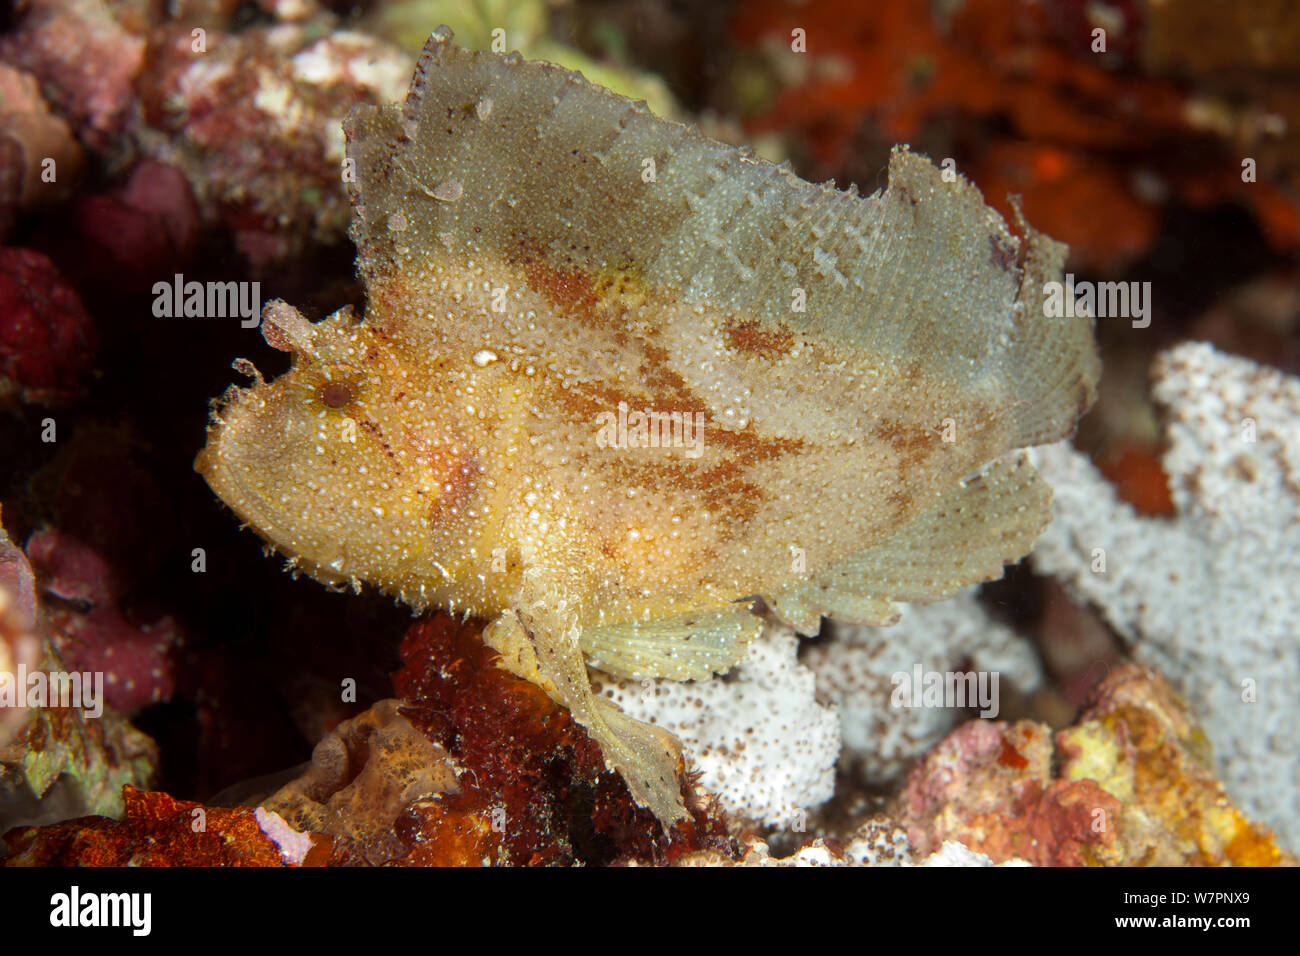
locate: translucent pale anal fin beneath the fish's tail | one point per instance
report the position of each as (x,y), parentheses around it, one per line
(965,538)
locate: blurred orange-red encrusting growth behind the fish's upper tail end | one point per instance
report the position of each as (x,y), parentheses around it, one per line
(1034,113)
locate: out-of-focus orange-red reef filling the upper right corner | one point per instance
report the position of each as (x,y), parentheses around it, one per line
(1099,144)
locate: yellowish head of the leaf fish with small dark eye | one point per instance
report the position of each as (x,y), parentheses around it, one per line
(339,462)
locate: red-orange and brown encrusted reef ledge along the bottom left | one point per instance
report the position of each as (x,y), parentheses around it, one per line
(475,768)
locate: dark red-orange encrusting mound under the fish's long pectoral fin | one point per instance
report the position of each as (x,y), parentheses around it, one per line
(526,758)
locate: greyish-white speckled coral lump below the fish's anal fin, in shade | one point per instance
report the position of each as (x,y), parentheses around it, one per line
(855,667)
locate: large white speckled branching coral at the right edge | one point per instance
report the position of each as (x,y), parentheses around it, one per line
(1211,599)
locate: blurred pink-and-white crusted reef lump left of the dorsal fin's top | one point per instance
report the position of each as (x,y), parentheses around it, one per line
(284,193)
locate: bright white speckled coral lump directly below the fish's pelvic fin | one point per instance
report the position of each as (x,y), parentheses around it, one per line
(760,738)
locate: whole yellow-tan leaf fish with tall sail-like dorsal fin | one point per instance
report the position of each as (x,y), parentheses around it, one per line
(543,257)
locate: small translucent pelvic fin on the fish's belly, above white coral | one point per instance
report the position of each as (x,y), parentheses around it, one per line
(691,647)
